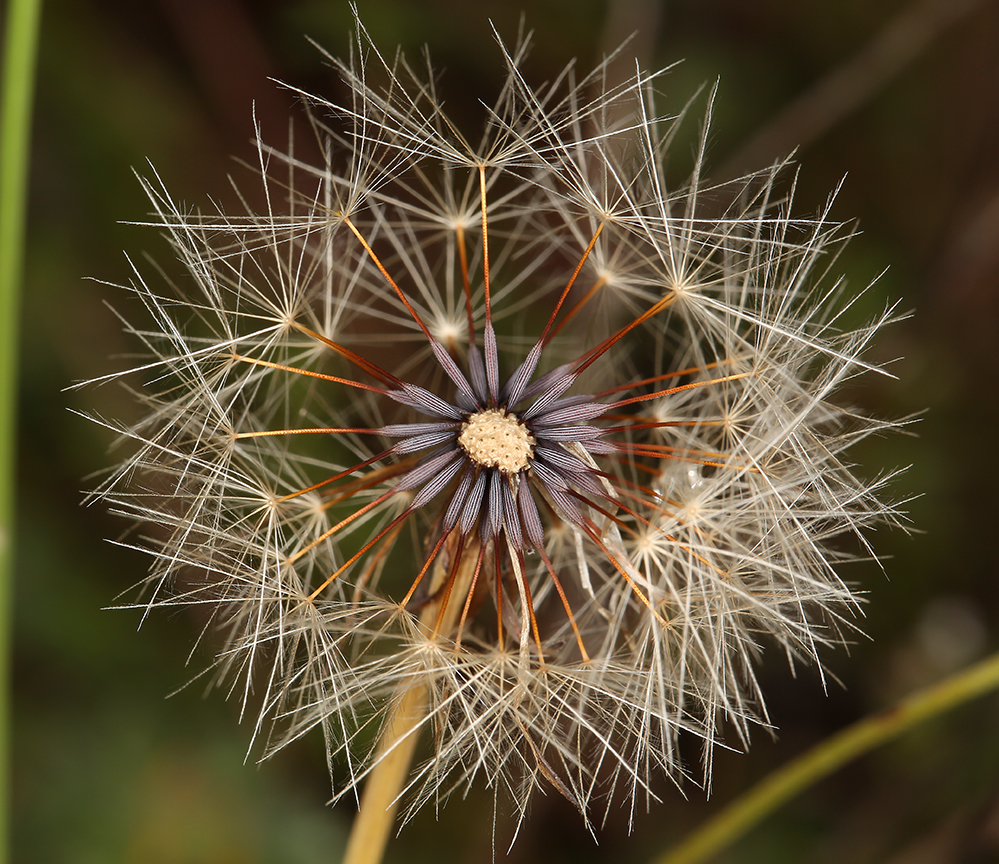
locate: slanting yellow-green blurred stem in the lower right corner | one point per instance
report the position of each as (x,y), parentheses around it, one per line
(832,753)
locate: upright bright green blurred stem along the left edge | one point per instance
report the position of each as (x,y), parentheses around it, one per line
(20,53)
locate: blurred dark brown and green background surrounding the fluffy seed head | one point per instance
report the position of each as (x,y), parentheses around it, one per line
(901,97)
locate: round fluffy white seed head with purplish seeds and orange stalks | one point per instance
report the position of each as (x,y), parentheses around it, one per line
(507,448)
